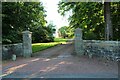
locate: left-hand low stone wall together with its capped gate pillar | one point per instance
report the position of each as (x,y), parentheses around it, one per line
(20,49)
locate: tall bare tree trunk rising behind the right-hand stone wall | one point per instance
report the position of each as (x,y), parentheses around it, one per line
(108,27)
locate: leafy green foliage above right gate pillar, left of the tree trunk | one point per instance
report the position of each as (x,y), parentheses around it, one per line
(88,16)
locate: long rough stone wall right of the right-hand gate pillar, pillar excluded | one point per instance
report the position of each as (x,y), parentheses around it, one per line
(108,49)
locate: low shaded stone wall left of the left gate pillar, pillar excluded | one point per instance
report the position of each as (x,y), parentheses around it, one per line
(8,50)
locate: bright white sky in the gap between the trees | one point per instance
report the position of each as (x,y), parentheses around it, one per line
(52,14)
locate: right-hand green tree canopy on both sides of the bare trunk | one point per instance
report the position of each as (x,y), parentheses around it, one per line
(90,17)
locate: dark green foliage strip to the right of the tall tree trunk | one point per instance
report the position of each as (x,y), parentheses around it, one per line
(115,12)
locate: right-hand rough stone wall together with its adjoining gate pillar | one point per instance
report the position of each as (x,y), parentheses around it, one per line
(106,49)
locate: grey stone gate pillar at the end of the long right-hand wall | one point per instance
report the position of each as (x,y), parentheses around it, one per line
(78,42)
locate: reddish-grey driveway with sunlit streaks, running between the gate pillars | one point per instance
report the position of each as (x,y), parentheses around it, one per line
(57,62)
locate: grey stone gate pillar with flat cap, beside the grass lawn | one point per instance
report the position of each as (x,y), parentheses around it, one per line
(27,44)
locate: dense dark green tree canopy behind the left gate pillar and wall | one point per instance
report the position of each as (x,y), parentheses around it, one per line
(21,16)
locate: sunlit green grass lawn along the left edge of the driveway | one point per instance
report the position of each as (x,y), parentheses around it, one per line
(42,46)
